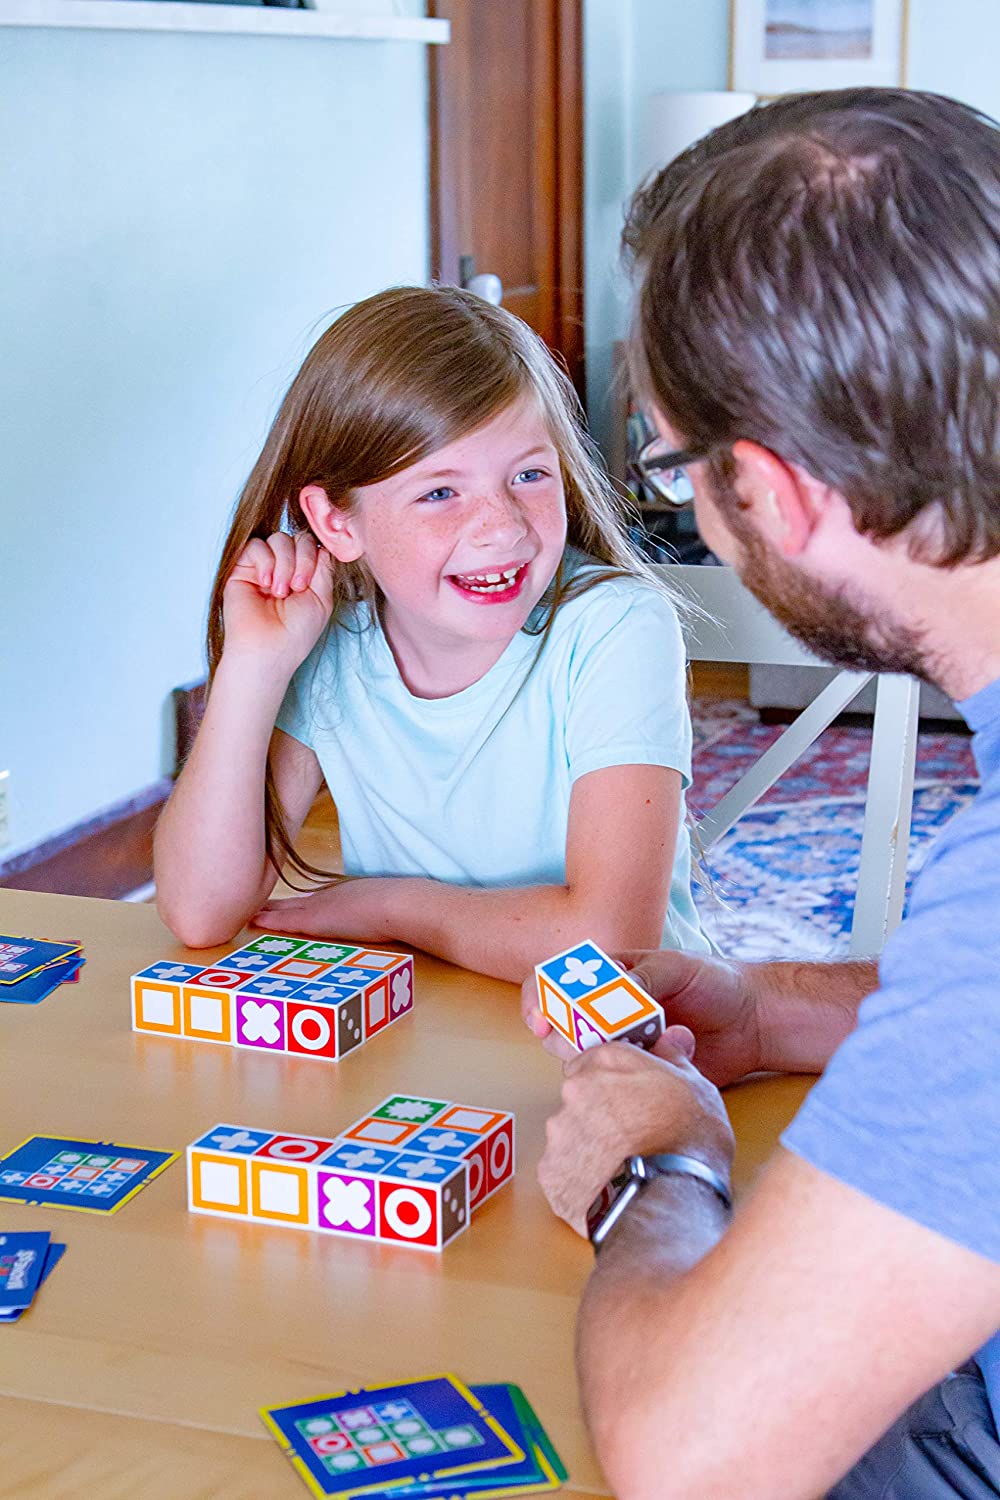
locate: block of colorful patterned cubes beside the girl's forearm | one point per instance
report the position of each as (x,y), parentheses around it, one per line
(292,995)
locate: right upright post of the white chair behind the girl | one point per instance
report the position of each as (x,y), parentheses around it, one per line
(888,809)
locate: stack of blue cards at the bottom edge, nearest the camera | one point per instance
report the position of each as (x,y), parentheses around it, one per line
(422,1441)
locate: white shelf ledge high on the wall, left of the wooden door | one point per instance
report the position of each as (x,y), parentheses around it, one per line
(244,20)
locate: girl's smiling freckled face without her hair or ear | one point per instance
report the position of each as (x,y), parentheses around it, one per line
(466,542)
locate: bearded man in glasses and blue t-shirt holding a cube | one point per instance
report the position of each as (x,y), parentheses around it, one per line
(819,329)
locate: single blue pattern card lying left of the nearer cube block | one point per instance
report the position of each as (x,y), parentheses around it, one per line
(86,1175)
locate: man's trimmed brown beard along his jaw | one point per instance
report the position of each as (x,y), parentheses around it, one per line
(825,623)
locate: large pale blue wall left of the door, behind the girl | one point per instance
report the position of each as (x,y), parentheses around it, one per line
(181,217)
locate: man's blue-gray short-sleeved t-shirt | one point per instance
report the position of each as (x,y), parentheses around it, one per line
(909,1108)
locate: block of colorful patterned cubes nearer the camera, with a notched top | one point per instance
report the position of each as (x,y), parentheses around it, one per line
(398,1175)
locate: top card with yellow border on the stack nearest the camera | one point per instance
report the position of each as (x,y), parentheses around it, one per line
(361,1442)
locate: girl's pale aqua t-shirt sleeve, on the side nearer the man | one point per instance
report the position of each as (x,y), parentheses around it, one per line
(627,689)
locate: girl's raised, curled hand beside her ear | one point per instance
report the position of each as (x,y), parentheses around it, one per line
(278,598)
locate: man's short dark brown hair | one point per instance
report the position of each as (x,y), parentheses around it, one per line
(822,277)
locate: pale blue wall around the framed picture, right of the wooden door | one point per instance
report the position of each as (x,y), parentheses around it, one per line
(639,47)
